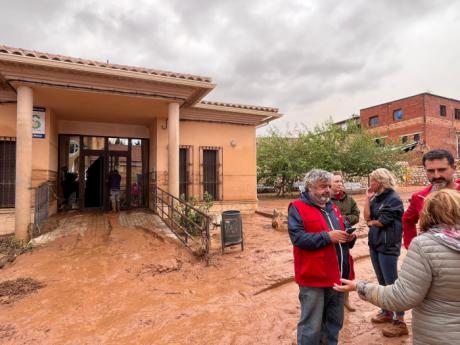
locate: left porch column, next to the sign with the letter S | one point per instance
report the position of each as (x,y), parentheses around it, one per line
(23,161)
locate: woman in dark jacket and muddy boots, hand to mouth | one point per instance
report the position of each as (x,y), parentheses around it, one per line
(383,210)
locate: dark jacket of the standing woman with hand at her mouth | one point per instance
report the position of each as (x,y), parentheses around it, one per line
(388,209)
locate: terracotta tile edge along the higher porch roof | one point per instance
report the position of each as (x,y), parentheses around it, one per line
(68,59)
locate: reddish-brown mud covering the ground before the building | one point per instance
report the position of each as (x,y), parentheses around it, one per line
(116,283)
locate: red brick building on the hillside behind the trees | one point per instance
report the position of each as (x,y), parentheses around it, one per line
(432,121)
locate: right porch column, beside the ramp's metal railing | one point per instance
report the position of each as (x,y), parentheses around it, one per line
(173,149)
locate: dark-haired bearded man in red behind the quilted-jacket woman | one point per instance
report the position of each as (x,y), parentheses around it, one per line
(440,169)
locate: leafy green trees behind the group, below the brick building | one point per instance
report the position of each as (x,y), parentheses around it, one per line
(284,158)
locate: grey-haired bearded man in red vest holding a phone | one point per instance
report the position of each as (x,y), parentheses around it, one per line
(316,229)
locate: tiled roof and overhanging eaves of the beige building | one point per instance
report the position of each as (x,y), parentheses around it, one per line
(84,90)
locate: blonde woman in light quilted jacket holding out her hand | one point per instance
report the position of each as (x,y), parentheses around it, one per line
(429,279)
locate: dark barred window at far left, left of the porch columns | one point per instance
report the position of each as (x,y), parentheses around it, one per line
(7,171)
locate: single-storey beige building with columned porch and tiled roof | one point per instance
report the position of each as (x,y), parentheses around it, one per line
(70,122)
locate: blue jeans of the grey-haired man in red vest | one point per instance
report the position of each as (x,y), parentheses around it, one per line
(321,316)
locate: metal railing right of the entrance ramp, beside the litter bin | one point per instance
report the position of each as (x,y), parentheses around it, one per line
(189,224)
